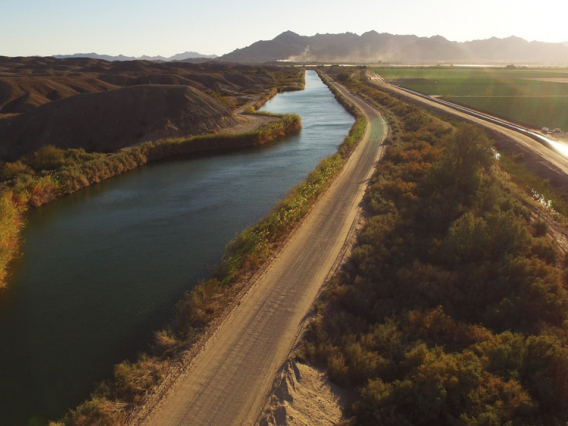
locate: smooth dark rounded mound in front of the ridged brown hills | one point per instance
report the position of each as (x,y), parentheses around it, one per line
(111,120)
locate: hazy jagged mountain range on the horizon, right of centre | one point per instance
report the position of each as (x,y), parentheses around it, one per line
(383,47)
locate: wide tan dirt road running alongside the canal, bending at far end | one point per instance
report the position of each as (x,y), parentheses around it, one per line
(229,380)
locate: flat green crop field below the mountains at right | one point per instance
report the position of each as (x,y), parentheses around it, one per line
(535,97)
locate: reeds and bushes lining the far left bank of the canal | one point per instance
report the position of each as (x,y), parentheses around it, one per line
(51,172)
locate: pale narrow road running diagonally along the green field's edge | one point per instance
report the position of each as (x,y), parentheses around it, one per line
(556,161)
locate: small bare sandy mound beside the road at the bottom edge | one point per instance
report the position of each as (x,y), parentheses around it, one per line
(304,396)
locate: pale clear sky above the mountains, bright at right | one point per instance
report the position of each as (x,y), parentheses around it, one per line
(167,27)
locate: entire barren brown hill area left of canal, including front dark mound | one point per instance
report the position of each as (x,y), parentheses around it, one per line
(104,106)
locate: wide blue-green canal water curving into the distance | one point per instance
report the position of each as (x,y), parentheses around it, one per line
(102,268)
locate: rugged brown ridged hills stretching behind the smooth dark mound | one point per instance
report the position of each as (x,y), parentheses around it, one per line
(26,83)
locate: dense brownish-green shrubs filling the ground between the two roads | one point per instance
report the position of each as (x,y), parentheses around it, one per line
(453,308)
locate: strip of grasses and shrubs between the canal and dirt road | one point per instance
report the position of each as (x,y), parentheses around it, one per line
(114,401)
